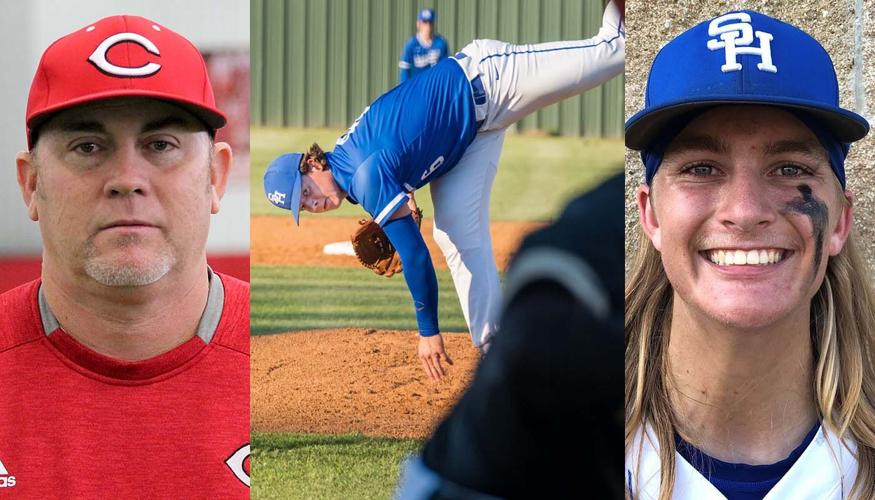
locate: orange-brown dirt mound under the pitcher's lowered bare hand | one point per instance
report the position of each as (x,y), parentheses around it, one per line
(353,380)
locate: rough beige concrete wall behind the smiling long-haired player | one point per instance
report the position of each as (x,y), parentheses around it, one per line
(846,29)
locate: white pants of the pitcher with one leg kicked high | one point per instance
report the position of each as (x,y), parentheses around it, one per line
(518,80)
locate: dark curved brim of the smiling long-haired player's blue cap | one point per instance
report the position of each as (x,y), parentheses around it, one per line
(643,127)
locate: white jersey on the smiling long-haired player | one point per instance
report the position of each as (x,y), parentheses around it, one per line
(825,470)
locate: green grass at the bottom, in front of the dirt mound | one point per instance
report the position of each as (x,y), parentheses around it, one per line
(305,466)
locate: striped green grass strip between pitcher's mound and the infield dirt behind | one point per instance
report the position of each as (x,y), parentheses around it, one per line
(307,298)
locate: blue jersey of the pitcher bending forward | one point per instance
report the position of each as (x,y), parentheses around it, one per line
(408,137)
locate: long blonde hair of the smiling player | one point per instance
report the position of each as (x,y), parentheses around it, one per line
(843,315)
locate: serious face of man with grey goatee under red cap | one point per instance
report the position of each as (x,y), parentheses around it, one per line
(122,189)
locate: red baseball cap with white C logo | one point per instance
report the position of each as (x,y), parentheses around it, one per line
(121,56)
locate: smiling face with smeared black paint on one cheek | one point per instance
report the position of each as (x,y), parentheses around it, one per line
(745,211)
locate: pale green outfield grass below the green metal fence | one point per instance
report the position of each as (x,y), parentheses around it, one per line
(536,177)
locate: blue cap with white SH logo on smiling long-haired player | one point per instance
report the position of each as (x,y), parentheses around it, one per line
(742,57)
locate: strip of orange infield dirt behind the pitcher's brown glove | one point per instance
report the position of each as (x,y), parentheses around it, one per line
(277,241)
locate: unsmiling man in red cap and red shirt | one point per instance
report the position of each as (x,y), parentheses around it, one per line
(125,367)
